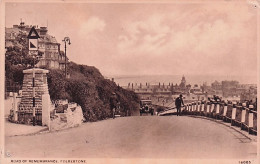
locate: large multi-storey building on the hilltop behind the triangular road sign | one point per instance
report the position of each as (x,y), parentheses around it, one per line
(52,57)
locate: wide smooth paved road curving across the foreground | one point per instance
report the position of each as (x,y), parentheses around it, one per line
(140,137)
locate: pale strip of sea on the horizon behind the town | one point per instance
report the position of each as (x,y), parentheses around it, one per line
(123,80)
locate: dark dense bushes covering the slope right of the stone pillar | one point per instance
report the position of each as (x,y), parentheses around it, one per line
(91,91)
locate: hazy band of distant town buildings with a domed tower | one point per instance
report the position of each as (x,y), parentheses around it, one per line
(230,90)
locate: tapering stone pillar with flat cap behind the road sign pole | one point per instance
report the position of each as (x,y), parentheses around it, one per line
(25,111)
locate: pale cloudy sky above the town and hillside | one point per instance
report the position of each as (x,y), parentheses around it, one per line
(151,38)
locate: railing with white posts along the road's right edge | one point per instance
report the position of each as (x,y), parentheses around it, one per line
(240,115)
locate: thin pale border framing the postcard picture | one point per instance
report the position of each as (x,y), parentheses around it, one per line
(130,161)
